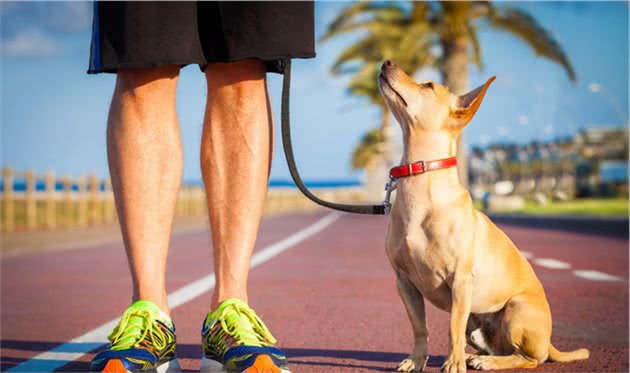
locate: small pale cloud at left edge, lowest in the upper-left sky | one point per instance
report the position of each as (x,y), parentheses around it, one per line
(28,43)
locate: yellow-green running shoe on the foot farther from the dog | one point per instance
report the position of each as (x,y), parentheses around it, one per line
(143,341)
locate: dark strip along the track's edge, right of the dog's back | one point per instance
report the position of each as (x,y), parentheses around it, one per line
(603,226)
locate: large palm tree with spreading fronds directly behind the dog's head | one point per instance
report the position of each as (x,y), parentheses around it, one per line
(444,34)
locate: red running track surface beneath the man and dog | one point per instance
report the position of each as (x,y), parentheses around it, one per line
(329,300)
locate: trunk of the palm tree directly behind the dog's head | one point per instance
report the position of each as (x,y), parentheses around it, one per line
(454,70)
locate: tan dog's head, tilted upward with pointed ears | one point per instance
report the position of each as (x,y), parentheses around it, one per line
(427,106)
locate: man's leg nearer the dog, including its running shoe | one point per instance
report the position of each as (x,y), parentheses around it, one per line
(235,160)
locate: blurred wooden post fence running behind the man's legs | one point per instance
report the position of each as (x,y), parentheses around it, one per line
(33,202)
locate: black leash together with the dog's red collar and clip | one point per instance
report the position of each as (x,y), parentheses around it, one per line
(394,174)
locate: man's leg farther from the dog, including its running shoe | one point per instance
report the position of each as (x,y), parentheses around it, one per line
(145,162)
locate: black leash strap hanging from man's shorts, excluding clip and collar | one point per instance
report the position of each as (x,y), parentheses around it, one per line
(288,152)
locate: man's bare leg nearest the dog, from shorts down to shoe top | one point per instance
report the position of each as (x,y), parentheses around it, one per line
(235,162)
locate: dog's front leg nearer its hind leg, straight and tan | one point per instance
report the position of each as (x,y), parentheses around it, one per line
(461,298)
